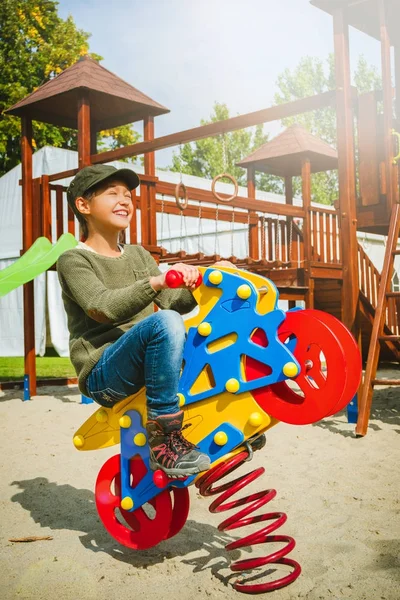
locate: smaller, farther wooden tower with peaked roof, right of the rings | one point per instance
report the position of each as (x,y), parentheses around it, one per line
(295,152)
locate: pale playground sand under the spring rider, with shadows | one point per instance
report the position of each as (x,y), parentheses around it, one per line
(341,495)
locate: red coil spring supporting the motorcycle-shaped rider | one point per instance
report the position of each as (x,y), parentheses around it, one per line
(241,519)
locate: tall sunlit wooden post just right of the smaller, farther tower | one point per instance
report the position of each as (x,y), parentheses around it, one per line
(347,186)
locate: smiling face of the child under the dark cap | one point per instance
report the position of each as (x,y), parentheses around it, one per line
(110,209)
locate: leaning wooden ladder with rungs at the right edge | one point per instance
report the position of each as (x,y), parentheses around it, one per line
(379,334)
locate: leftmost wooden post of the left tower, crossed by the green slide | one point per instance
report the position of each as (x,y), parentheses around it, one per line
(27,236)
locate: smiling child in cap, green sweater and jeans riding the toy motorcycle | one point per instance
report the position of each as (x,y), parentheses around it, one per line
(117,343)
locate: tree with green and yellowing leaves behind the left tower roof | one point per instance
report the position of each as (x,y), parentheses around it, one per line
(35,46)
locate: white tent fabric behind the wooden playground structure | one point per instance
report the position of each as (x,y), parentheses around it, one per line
(190,234)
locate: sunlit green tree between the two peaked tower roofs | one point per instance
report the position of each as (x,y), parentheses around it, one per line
(219,154)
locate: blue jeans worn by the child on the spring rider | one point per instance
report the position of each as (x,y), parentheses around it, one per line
(150,355)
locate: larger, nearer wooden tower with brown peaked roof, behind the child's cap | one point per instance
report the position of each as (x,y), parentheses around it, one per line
(89,98)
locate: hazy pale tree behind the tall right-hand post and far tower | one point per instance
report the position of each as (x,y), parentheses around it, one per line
(314,76)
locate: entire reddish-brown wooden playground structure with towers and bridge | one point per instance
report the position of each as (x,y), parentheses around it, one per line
(311,253)
